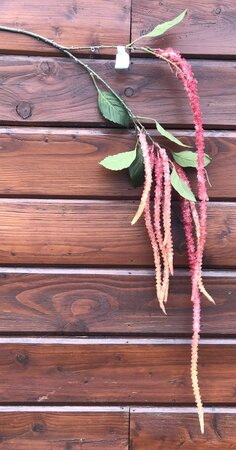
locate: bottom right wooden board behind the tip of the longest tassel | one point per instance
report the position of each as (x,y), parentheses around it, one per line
(166,430)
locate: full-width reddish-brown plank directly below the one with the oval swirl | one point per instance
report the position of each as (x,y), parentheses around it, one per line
(114,371)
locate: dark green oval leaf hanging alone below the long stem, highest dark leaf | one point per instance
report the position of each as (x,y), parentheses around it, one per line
(112,109)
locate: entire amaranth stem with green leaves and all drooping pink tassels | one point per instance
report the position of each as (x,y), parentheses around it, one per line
(160,173)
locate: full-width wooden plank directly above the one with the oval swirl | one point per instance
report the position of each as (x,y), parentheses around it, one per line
(95,233)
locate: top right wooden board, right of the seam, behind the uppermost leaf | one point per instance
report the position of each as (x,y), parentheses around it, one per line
(208,29)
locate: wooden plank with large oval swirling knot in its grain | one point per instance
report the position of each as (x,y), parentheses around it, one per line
(110,302)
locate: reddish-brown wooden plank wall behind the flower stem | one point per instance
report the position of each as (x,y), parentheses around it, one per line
(87,359)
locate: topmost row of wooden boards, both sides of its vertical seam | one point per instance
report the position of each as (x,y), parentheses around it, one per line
(208,28)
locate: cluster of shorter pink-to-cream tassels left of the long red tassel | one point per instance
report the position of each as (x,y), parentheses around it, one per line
(157,220)
